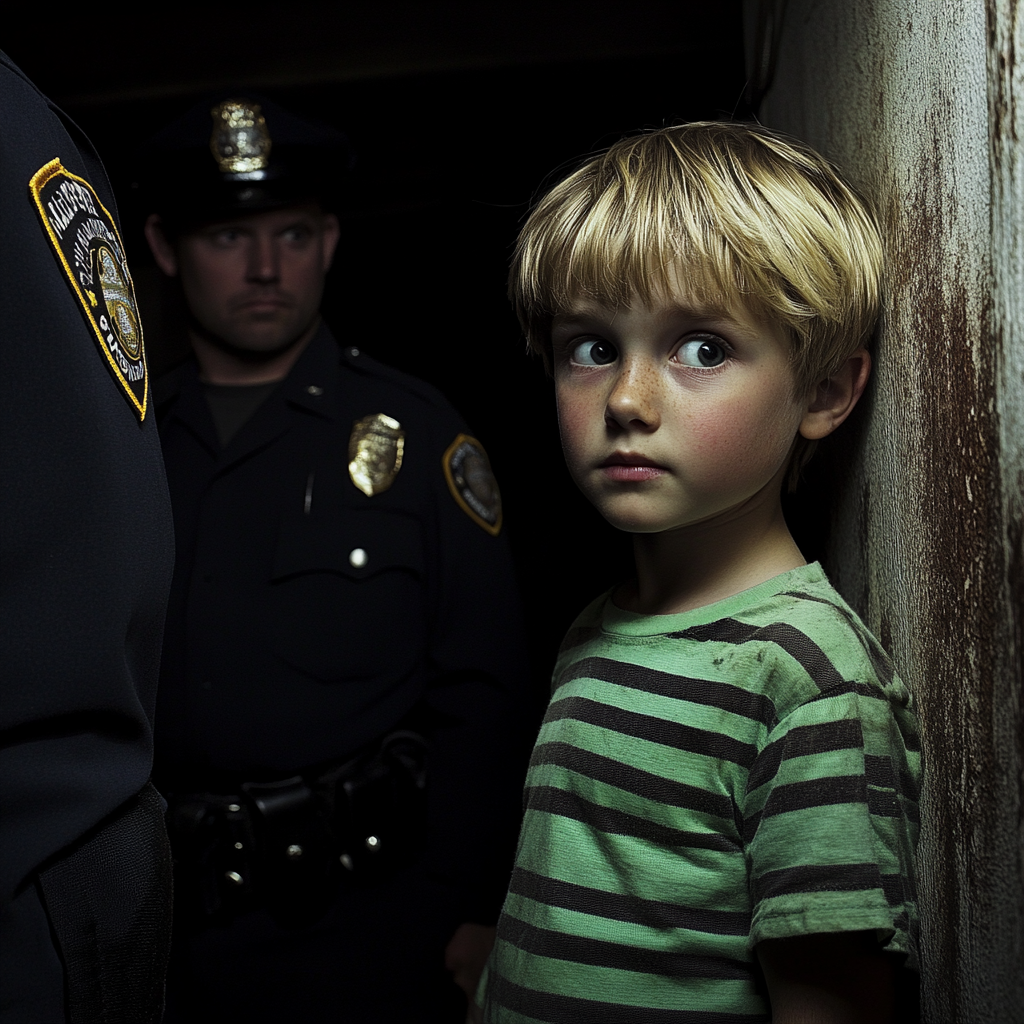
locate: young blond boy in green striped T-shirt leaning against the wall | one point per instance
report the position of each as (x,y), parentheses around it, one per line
(721,807)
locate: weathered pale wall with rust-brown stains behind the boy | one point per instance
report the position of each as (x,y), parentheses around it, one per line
(919,101)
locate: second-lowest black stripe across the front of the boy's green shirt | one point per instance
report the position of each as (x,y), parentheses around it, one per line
(600,953)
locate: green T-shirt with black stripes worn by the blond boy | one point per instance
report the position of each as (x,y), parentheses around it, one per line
(703,782)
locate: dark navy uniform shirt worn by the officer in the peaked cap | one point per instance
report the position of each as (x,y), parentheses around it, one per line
(309,619)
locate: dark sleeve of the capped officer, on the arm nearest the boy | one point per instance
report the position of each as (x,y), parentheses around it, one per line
(478,697)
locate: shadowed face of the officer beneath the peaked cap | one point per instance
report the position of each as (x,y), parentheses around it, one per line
(254,283)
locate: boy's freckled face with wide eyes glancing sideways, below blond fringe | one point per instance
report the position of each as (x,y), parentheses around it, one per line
(671,416)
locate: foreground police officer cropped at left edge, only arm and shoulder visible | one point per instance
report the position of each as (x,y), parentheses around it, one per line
(86,567)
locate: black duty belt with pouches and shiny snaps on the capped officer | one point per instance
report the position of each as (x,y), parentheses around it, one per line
(287,845)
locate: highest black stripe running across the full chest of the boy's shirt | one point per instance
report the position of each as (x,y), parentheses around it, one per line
(736,700)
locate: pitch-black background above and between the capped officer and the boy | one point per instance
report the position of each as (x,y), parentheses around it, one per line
(458,113)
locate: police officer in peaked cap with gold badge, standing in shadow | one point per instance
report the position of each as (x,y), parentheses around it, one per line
(339,695)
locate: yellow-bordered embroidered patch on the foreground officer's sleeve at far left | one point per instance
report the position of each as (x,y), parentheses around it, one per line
(90,248)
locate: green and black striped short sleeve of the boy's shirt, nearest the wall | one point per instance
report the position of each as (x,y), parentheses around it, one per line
(831,820)
